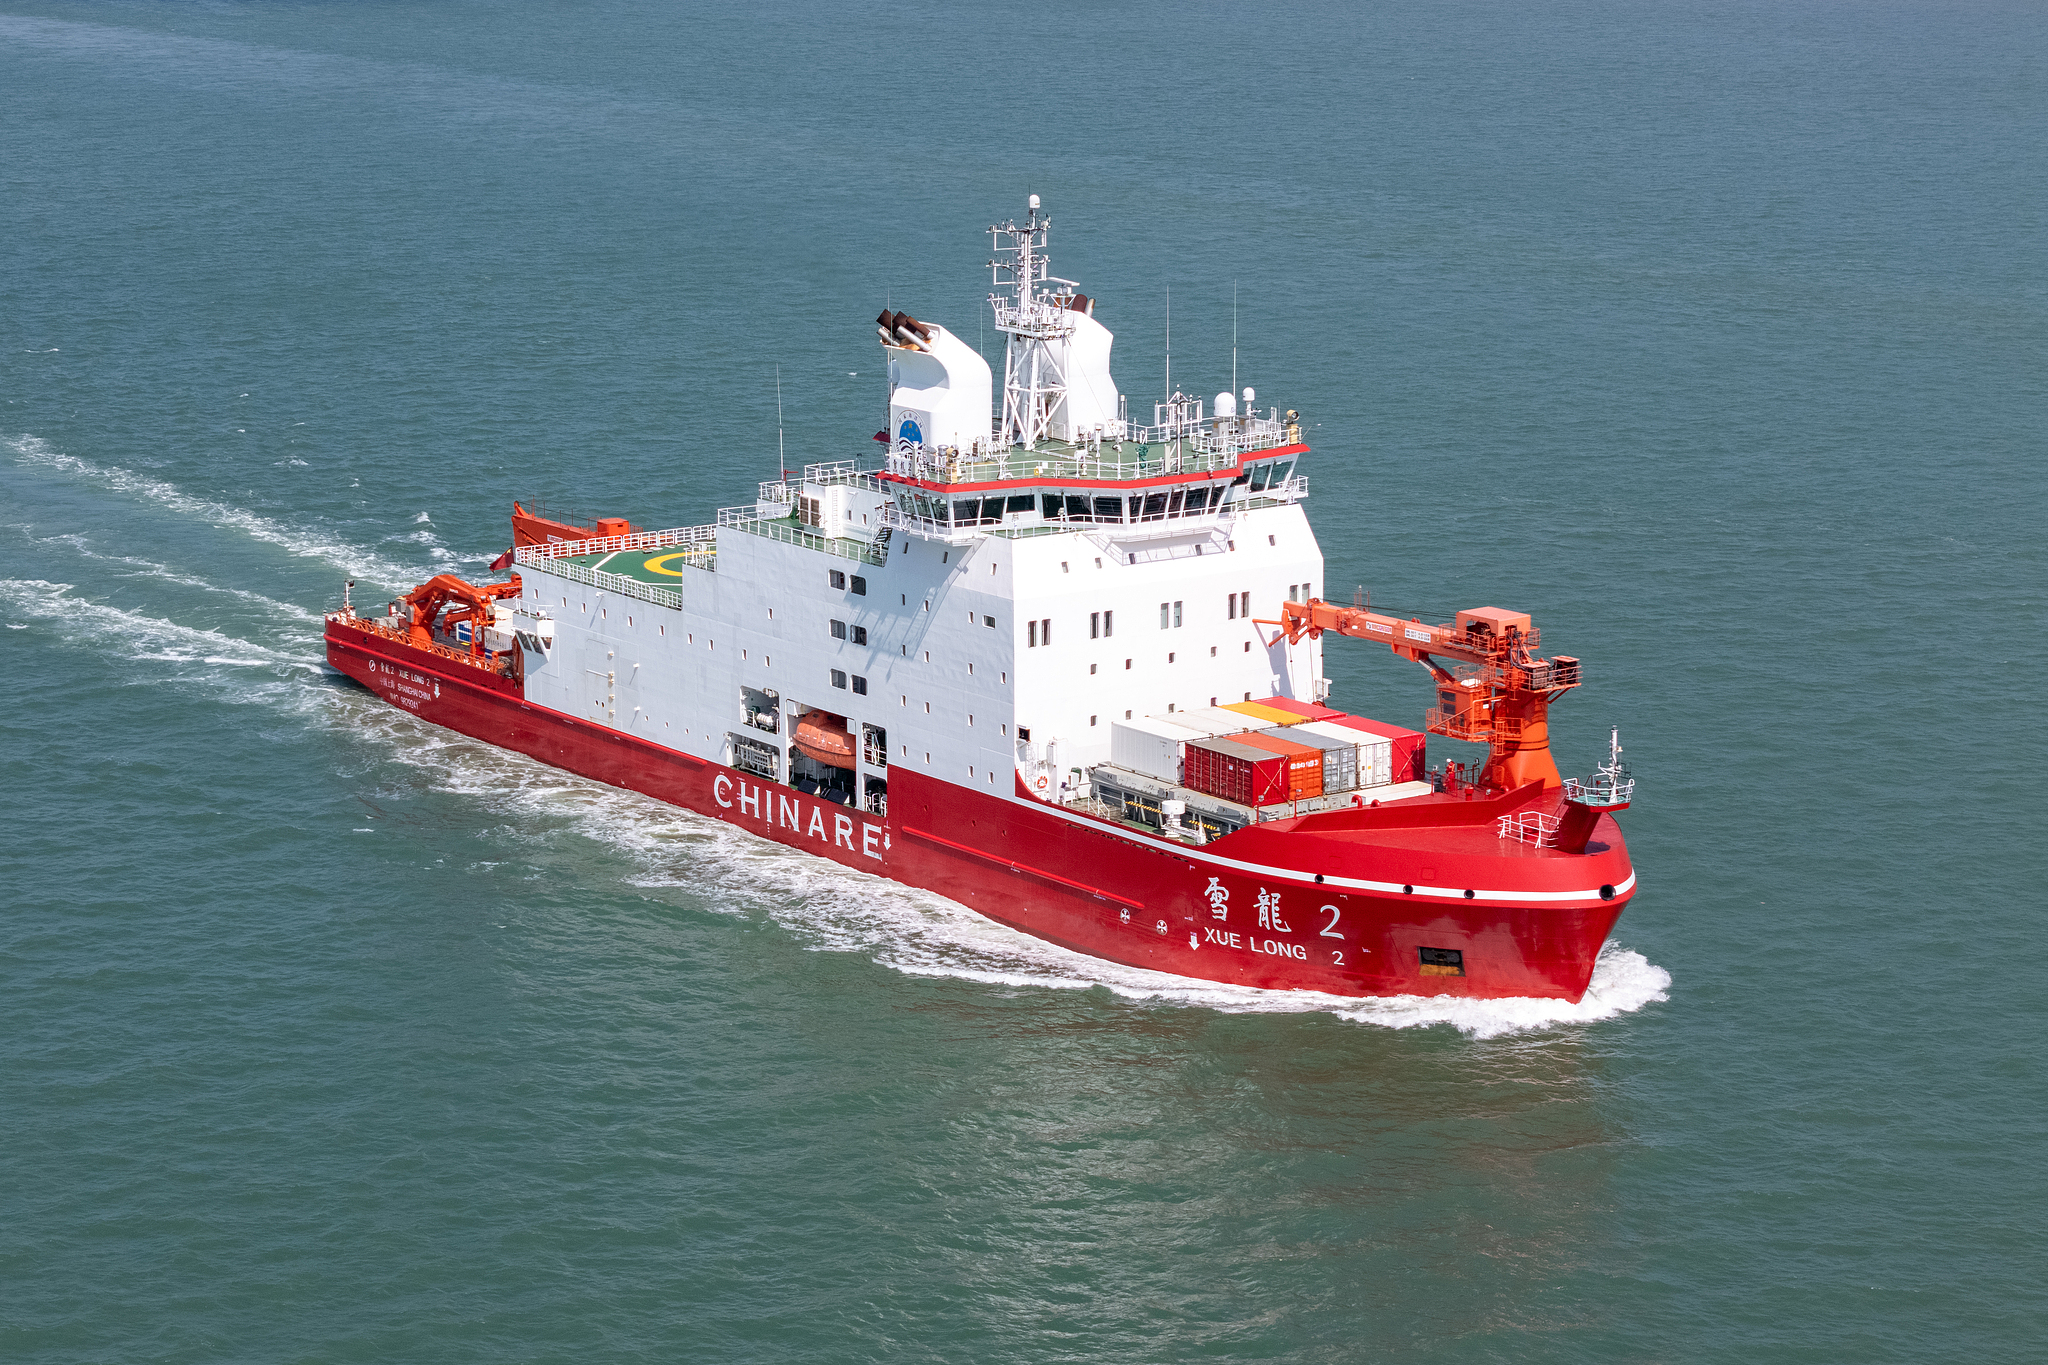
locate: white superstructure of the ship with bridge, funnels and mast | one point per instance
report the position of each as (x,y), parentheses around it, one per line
(980,605)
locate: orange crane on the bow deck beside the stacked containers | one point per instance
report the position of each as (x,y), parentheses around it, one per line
(1496,693)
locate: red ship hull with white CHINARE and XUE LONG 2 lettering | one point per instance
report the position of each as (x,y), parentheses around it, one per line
(1275,908)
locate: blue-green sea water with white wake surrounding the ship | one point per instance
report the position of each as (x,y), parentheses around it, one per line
(1711,335)
